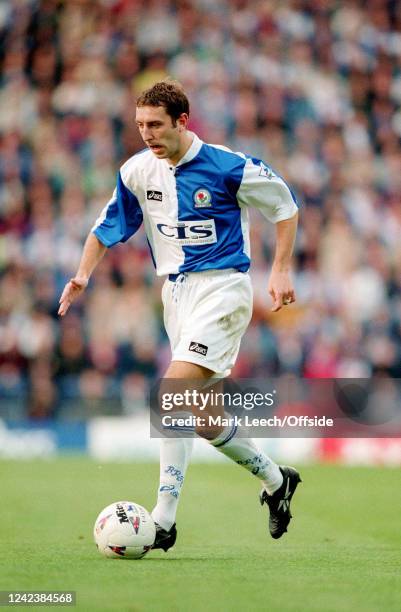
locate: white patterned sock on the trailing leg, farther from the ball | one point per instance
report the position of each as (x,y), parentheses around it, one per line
(234,443)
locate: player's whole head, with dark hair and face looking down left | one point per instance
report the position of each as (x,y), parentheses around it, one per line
(162,117)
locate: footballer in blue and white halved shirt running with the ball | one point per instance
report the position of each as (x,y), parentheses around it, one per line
(193,199)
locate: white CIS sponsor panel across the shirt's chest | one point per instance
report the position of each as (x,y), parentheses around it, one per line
(189,232)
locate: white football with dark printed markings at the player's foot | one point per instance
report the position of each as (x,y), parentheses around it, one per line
(124,530)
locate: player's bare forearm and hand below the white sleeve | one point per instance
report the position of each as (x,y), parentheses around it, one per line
(280,284)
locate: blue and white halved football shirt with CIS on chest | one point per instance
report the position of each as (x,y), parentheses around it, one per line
(196,213)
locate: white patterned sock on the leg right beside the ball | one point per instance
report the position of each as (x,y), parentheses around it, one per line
(175,454)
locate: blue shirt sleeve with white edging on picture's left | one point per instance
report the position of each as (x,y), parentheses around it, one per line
(120,218)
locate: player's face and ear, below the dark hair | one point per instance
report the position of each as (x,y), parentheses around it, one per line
(159,133)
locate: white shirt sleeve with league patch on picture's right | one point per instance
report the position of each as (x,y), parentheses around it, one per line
(261,188)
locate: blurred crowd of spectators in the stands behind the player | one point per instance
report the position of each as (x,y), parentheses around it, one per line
(311,87)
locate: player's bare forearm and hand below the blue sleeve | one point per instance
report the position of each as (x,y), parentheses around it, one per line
(91,255)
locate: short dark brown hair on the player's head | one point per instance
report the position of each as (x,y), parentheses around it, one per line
(168,93)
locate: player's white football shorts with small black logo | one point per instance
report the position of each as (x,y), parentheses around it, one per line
(205,315)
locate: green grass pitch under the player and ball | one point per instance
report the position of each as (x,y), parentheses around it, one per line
(342,551)
